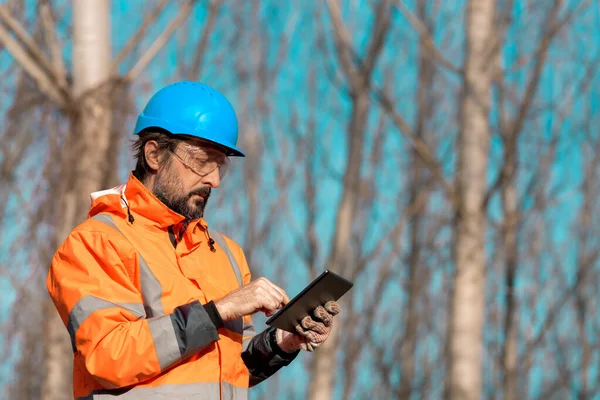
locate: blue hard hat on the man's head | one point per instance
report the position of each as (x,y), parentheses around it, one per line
(193,109)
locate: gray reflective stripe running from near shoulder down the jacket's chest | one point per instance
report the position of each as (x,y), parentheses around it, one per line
(150,286)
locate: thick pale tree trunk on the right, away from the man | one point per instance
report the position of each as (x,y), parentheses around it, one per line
(465,336)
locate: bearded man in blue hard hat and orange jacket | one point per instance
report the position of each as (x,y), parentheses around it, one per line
(157,304)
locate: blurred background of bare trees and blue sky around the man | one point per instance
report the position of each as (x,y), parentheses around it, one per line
(443,155)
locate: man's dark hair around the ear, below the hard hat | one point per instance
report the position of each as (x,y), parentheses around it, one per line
(165,140)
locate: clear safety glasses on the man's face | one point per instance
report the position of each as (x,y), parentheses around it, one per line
(202,161)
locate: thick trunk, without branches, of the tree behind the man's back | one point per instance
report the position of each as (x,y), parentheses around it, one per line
(82,164)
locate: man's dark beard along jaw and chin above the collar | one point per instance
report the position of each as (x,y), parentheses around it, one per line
(169,190)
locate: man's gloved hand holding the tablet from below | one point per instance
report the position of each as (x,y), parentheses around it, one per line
(311,332)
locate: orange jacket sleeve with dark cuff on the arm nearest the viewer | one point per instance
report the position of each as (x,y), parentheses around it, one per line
(91,282)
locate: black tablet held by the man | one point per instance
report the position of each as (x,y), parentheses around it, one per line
(326,287)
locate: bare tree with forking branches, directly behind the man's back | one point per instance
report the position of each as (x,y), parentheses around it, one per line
(85,161)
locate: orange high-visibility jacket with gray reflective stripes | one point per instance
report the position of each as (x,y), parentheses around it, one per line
(133,284)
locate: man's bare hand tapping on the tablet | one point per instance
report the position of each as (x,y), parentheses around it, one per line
(259,295)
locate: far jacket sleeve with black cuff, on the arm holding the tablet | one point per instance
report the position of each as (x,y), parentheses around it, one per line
(260,353)
